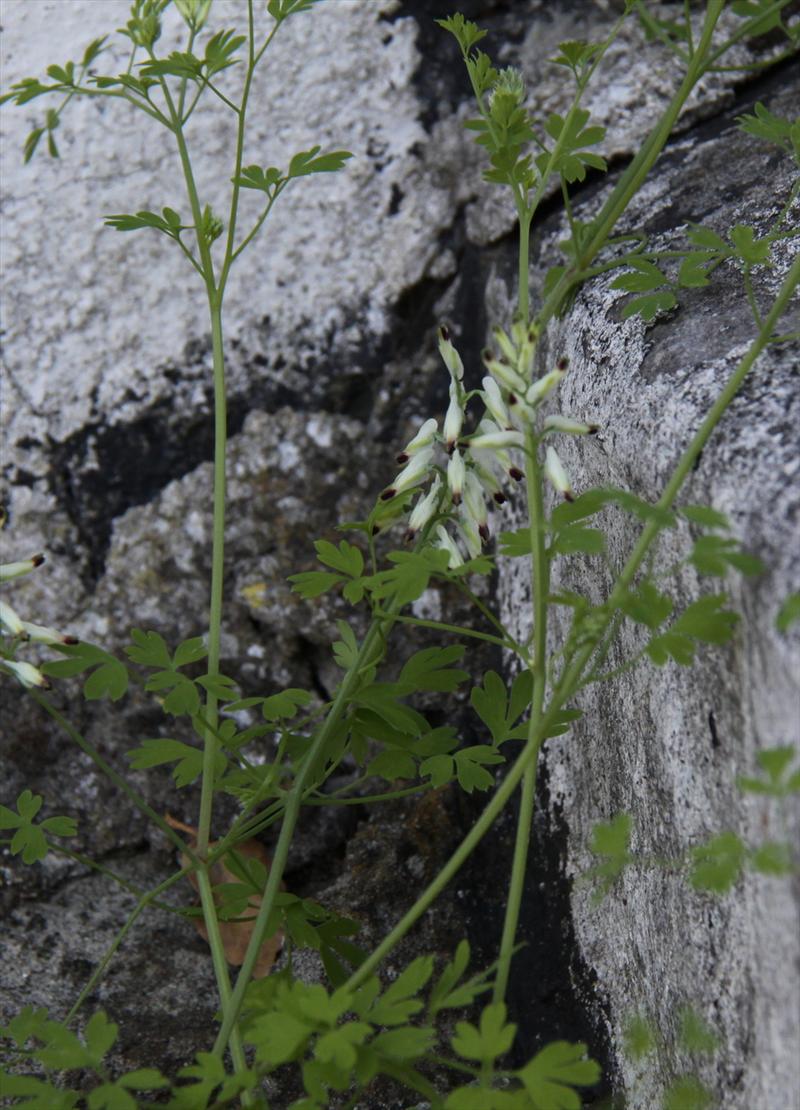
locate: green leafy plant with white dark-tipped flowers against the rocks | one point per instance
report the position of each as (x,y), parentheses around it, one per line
(451,480)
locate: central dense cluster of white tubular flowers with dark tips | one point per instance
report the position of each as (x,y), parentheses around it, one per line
(478,466)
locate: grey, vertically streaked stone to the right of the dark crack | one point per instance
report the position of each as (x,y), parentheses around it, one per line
(666,745)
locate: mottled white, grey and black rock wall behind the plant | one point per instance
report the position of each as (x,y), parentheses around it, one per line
(332,362)
